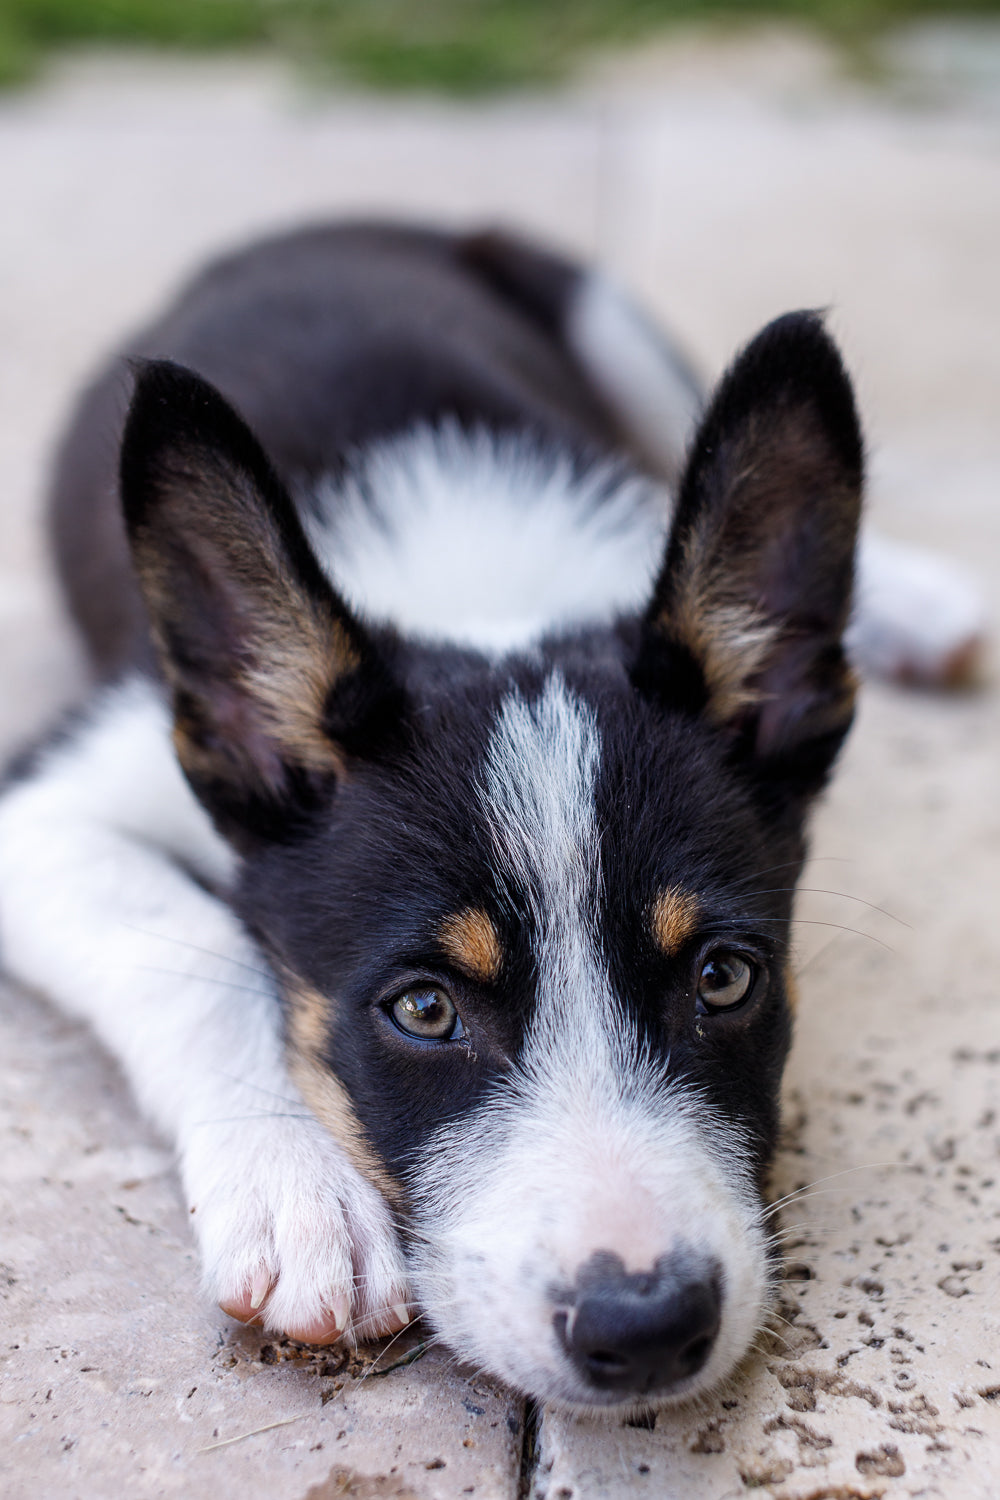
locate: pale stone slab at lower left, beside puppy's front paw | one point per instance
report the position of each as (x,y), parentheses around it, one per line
(118,1378)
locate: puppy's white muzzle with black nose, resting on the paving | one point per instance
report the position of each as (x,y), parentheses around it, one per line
(593,1253)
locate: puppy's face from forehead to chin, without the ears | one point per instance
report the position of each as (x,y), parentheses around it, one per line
(545,971)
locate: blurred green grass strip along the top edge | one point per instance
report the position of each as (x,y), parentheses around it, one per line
(460,47)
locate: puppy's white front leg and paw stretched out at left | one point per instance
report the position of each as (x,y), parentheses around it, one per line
(101,910)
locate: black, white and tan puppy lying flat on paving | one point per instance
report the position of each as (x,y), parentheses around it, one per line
(427,854)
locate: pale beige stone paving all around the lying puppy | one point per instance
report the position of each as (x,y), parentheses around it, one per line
(725,182)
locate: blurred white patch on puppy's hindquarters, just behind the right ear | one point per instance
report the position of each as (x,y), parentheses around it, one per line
(636,373)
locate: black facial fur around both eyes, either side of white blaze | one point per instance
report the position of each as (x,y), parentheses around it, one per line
(406,844)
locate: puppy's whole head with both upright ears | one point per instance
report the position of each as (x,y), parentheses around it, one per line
(531,919)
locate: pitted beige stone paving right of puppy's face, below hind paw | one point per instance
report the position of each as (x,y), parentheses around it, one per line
(882,1376)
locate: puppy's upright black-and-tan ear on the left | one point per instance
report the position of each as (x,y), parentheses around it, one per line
(275,683)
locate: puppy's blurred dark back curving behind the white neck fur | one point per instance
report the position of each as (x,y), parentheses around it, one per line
(338,338)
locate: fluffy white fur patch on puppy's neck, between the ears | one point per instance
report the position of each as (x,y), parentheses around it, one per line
(487,541)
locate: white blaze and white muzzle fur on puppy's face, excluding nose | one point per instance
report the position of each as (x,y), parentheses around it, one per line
(588,1145)
